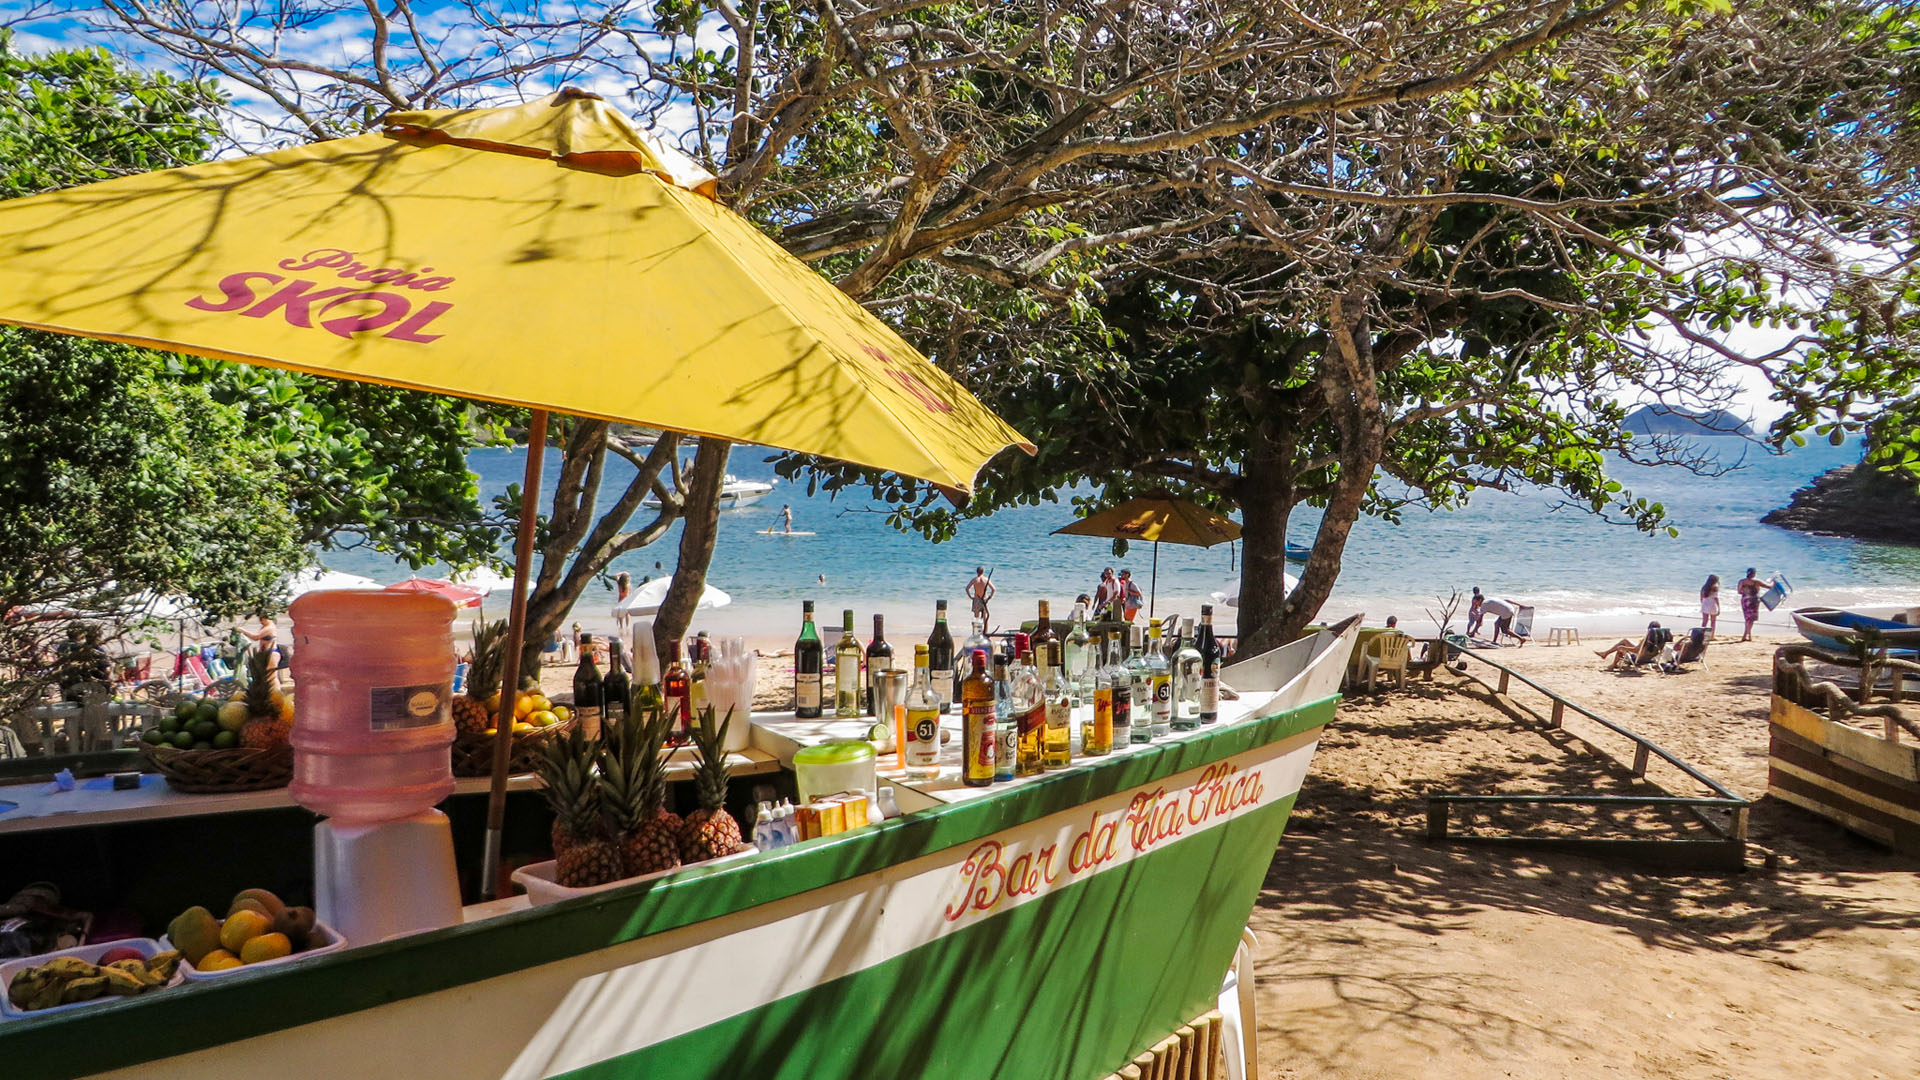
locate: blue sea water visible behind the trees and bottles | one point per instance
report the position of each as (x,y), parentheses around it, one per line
(1572,566)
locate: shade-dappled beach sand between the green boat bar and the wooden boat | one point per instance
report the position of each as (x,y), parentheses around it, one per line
(1385,956)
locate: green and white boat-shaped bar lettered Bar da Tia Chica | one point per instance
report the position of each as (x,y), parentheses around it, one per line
(1045,929)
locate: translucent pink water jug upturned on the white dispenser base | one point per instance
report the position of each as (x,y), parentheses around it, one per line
(373,679)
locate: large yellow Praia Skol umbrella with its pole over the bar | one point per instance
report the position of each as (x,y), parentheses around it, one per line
(539,257)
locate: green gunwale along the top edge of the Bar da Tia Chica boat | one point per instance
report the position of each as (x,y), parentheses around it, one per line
(199,1018)
